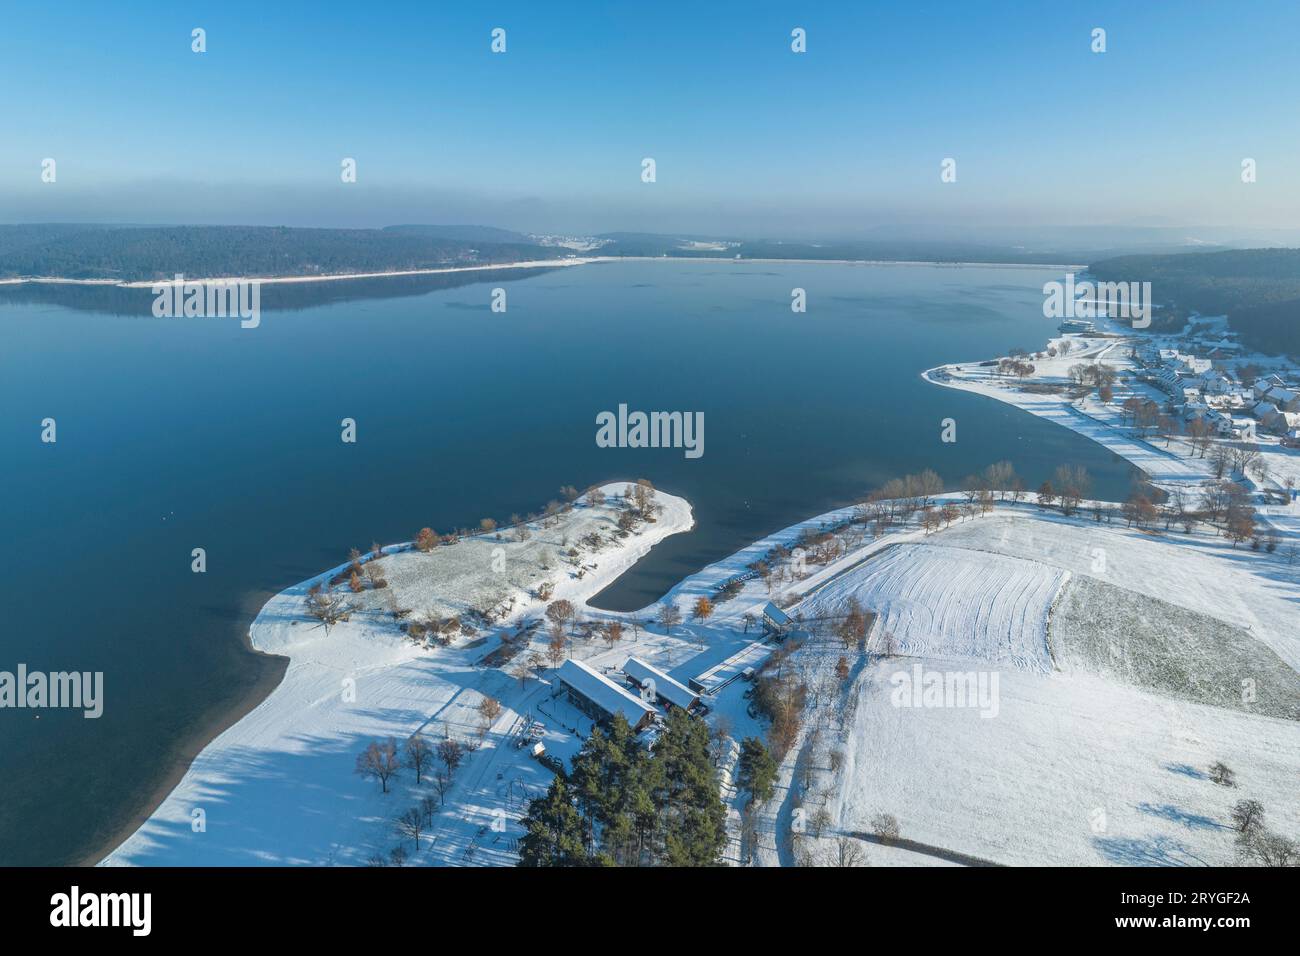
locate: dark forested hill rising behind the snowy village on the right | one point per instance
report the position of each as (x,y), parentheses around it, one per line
(1259,289)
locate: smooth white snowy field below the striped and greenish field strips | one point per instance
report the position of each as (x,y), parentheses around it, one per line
(1074,771)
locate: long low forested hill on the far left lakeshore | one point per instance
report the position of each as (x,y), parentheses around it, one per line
(149,253)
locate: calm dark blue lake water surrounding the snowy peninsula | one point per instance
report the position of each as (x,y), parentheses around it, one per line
(183,434)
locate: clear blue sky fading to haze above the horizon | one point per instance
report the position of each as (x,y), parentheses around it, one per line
(748,136)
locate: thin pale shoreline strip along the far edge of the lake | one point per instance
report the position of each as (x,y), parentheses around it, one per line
(528,265)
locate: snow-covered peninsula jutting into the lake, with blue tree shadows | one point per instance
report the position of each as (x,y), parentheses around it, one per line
(279,788)
